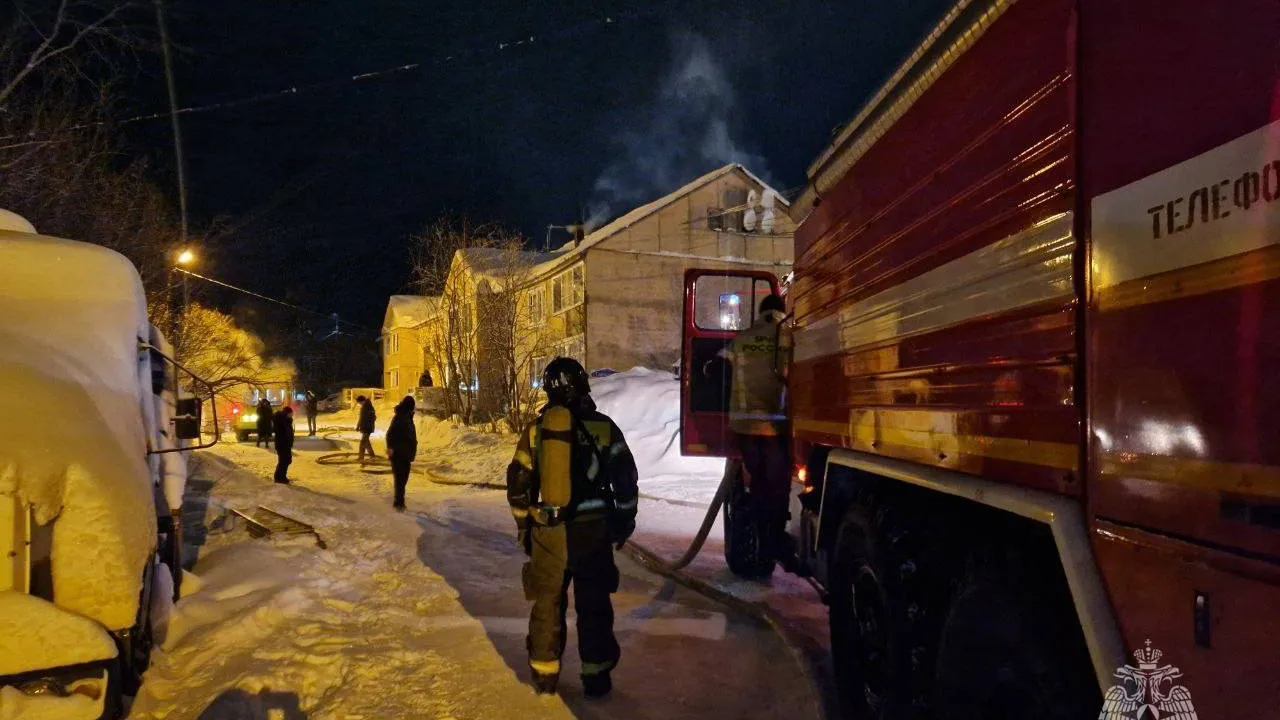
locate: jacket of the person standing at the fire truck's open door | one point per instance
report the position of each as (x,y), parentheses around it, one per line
(760,357)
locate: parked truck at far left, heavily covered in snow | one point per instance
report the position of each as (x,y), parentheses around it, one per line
(92,476)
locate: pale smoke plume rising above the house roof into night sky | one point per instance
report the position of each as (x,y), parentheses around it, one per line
(687,131)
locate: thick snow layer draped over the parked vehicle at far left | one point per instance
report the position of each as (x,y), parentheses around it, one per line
(75,398)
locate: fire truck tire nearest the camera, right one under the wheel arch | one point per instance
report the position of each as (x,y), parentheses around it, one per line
(1012,649)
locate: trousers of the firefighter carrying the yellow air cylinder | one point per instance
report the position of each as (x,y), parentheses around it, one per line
(578,555)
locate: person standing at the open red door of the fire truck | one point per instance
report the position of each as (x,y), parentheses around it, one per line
(758,418)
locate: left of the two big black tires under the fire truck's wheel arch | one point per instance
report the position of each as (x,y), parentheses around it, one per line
(884,614)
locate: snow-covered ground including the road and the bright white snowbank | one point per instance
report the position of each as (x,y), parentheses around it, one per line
(420,616)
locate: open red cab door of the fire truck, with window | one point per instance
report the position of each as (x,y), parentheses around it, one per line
(719,304)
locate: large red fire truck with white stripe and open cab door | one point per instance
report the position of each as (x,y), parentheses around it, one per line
(1035,394)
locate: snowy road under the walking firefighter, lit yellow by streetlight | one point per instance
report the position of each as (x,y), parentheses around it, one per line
(422,616)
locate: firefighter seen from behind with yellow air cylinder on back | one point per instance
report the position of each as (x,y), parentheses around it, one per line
(573,493)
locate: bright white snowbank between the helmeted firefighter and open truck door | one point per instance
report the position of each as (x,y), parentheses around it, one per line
(646,405)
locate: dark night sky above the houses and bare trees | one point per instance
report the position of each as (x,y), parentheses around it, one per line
(317,194)
